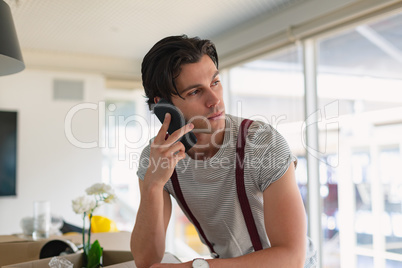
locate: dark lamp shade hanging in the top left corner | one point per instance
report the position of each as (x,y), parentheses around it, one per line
(10,53)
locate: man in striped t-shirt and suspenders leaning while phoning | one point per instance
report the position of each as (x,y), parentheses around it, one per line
(184,71)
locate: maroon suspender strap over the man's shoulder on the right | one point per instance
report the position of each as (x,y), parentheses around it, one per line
(241,189)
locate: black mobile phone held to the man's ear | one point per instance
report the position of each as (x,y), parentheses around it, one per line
(177,121)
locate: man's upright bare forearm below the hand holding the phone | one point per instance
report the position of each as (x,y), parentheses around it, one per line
(148,237)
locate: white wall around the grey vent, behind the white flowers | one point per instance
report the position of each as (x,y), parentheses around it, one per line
(49,166)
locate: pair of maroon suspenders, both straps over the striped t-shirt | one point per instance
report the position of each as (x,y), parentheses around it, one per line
(241,193)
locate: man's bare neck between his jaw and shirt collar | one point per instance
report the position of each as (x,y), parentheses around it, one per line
(207,145)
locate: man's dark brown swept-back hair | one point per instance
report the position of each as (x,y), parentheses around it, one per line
(162,64)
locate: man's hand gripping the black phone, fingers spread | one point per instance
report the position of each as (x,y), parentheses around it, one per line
(165,153)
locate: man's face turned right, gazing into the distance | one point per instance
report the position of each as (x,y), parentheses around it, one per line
(199,84)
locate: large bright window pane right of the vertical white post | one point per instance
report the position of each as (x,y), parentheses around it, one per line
(361,70)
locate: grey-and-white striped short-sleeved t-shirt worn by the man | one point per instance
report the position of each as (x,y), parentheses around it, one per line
(209,186)
